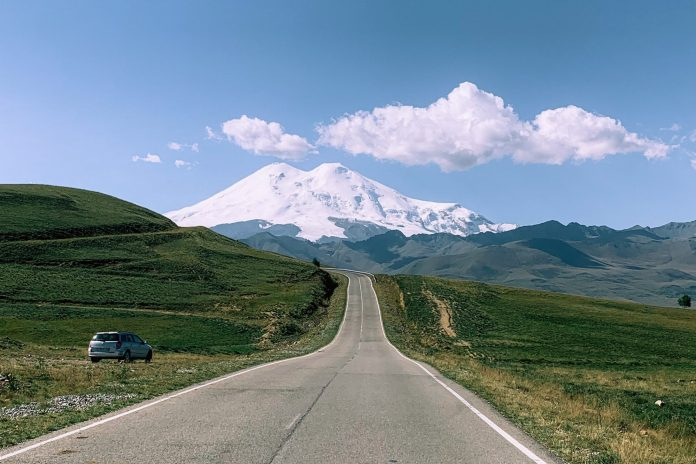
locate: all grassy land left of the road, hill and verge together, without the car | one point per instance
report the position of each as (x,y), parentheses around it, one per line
(74,262)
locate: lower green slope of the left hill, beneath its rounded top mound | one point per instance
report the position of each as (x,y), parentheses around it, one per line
(181,269)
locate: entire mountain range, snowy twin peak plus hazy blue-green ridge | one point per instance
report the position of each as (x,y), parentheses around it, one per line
(347,220)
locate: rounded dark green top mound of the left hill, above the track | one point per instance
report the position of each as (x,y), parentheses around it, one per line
(43,211)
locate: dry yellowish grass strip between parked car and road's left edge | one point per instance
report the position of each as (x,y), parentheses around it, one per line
(41,372)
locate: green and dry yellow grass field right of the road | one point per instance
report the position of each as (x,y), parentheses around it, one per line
(580,375)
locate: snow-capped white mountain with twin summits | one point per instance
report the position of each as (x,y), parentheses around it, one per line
(328,201)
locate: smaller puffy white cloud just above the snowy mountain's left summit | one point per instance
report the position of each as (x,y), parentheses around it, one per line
(265,138)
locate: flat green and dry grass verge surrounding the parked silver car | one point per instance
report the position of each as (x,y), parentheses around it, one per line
(43,352)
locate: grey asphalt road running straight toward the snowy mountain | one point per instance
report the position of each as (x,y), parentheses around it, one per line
(358,400)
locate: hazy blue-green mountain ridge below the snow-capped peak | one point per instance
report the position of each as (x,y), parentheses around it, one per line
(650,265)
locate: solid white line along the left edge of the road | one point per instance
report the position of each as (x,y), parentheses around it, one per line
(175,395)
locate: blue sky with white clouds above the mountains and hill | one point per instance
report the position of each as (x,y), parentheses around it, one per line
(521,111)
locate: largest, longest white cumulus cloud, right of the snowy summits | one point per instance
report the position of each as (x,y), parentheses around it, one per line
(470,127)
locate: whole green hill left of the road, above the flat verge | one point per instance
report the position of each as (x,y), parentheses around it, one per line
(68,246)
